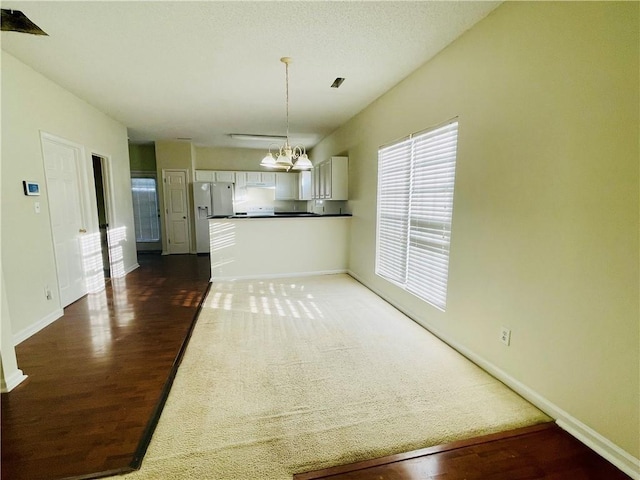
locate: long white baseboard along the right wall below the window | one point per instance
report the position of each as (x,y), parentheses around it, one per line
(592,439)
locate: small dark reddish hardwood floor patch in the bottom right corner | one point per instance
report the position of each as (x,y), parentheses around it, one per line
(539,452)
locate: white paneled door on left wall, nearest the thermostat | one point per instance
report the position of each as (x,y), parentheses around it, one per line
(61,162)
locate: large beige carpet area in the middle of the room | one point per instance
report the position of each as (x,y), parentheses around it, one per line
(286,376)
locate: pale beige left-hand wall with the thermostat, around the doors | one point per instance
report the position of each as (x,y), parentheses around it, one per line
(31,104)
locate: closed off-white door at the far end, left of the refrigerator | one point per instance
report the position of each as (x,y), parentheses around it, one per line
(176,210)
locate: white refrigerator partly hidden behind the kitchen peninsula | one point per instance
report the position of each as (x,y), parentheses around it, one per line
(210,198)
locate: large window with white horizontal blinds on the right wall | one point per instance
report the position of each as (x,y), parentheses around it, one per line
(415,205)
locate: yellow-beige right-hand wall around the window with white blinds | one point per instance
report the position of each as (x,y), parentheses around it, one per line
(545,221)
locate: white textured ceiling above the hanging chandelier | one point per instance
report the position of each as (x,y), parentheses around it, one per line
(204,70)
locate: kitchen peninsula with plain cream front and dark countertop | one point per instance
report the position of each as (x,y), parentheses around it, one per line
(278,245)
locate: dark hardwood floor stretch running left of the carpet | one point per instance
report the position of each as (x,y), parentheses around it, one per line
(97,375)
